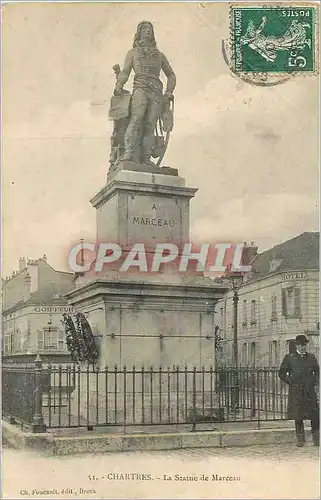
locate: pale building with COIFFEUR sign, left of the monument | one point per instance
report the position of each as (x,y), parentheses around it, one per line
(33,301)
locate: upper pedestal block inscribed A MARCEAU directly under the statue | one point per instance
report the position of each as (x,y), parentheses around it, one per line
(143,207)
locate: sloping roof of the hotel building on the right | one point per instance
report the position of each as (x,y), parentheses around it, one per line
(298,253)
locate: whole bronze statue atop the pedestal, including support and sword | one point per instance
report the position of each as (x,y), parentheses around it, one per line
(142,119)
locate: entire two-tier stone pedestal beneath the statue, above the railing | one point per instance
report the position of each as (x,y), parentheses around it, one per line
(150,319)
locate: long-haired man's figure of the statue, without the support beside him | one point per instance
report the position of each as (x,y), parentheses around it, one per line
(148,101)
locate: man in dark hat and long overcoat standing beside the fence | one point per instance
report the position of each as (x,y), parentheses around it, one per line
(301,371)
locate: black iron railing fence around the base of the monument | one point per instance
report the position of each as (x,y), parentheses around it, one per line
(63,396)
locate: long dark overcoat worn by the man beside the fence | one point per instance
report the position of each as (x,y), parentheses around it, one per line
(302,375)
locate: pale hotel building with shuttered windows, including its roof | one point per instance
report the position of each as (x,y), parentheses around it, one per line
(277,302)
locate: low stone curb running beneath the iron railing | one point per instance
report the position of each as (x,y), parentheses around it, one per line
(105,443)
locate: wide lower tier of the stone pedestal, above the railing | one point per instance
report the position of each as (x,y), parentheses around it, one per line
(156,320)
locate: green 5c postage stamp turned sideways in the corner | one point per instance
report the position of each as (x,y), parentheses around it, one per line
(273,39)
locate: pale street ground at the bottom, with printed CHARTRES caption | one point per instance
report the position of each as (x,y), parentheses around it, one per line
(281,471)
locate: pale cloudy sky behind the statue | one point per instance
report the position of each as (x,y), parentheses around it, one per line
(251,151)
